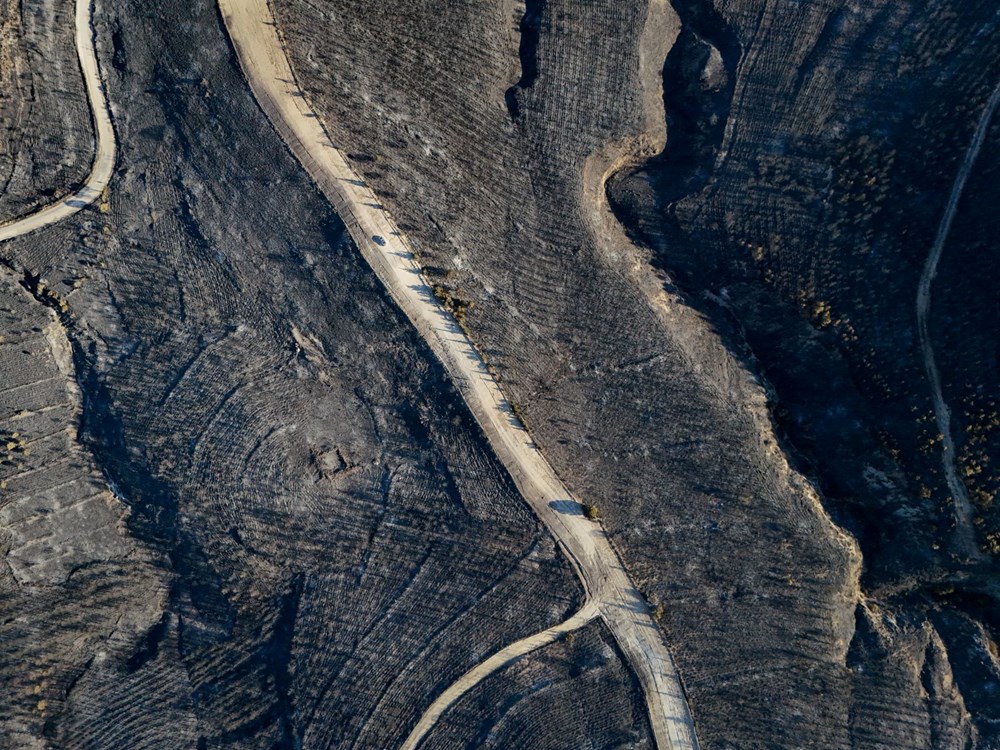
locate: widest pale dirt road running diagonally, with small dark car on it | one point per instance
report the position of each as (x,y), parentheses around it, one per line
(609,590)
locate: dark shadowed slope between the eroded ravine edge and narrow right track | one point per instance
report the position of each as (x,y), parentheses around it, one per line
(853,165)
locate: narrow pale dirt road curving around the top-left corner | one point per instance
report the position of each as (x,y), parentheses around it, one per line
(104,159)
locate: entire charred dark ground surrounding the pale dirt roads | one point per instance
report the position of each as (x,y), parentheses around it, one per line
(260,518)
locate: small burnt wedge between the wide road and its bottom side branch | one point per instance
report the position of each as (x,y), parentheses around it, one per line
(576,692)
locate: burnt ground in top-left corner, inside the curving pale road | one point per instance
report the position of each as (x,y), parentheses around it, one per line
(46,138)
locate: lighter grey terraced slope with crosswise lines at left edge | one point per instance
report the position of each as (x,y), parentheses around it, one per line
(75,590)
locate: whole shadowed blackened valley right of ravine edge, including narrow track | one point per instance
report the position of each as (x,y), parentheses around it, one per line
(821,154)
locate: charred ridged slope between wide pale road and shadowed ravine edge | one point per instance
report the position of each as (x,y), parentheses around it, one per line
(497,178)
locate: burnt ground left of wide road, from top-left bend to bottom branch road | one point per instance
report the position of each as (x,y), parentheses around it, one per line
(308,538)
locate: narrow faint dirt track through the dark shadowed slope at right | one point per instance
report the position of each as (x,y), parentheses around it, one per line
(942,414)
